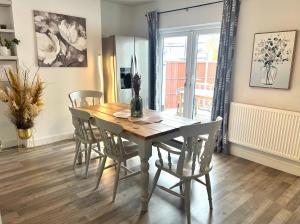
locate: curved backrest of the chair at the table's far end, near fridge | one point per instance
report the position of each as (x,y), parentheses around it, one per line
(85,98)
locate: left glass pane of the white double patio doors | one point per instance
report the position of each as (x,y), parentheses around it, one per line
(174,74)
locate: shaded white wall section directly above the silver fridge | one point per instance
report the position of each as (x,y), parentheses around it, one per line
(117,19)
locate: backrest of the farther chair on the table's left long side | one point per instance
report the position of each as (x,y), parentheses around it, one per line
(82,123)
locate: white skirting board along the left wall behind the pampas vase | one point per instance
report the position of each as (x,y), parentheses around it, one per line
(38,142)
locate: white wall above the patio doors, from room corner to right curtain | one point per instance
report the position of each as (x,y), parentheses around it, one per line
(195,16)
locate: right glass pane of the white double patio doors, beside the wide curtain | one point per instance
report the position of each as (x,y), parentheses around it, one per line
(207,57)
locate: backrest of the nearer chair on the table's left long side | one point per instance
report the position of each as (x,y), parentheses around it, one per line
(110,134)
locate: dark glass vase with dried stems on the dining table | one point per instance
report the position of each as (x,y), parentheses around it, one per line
(136,104)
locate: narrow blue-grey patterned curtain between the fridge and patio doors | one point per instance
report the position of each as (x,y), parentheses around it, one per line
(153,26)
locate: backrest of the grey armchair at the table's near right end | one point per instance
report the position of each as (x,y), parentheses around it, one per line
(193,151)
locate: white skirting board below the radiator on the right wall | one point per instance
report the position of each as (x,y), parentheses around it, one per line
(265,159)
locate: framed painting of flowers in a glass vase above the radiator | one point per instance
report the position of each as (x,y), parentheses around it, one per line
(272,59)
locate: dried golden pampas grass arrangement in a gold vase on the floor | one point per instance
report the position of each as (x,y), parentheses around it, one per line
(24,100)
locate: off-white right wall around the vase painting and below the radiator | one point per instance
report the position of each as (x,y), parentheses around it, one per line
(263,16)
